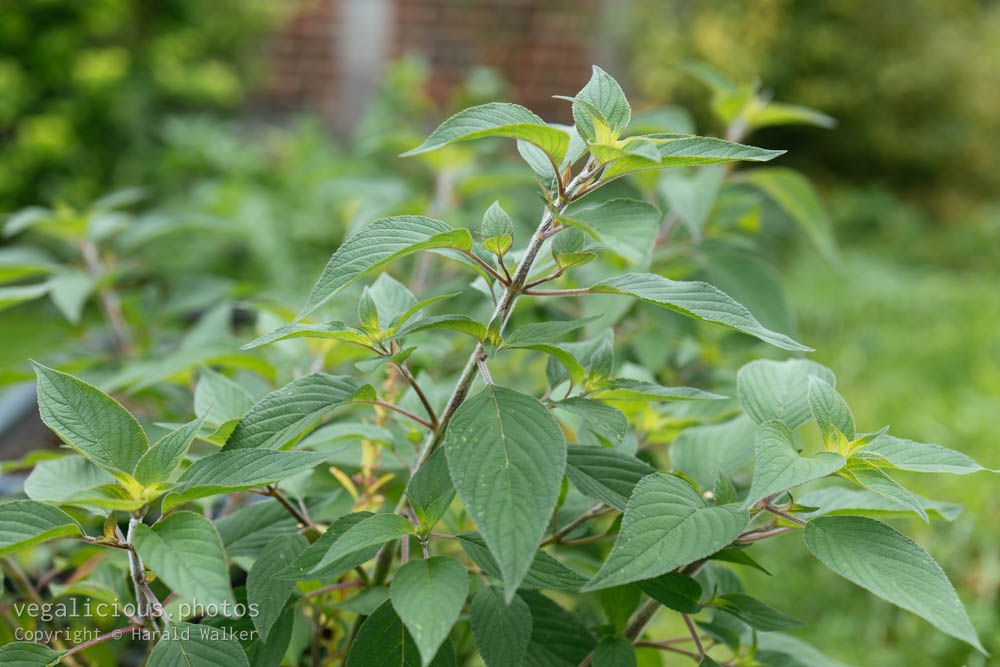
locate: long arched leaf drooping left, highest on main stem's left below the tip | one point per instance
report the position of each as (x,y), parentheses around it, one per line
(377,244)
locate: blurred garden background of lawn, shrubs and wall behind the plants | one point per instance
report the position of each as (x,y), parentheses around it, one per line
(250,182)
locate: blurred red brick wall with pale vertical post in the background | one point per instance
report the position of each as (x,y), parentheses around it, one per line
(542,47)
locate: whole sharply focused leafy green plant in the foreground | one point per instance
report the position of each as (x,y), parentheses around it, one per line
(500,515)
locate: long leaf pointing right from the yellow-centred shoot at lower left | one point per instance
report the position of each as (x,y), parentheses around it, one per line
(238,470)
